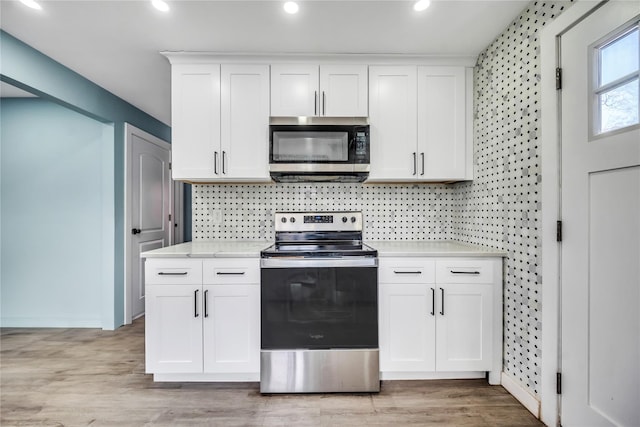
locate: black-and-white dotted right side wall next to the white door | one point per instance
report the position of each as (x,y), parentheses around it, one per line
(501,207)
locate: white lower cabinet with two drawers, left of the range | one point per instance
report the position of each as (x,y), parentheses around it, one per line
(204,331)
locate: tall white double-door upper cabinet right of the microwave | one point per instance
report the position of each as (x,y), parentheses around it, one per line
(420,123)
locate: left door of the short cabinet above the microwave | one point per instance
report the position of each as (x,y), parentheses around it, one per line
(294,90)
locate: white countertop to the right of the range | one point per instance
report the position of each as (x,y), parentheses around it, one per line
(443,248)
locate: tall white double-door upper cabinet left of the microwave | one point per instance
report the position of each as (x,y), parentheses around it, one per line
(220,113)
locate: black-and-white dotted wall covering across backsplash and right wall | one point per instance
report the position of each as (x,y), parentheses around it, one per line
(500,208)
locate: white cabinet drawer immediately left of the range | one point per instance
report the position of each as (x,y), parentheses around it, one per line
(231,270)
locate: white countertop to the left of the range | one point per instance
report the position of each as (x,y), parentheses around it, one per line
(210,249)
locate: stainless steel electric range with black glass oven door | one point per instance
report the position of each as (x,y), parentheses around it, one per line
(319,306)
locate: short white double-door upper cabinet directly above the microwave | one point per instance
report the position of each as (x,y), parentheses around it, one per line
(325,90)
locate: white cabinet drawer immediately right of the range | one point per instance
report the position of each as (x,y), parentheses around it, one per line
(406,270)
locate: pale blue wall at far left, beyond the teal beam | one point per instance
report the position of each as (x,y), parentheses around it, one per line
(56,221)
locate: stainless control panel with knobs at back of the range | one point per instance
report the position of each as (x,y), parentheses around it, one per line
(318,221)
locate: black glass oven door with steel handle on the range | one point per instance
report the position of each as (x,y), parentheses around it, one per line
(323,304)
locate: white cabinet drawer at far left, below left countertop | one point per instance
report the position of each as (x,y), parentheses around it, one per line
(167,271)
